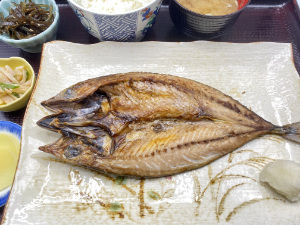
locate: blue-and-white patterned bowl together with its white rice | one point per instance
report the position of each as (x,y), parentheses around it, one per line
(117,20)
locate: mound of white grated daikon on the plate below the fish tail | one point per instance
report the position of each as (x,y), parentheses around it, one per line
(284,177)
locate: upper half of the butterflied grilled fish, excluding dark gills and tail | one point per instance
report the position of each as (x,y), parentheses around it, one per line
(143,94)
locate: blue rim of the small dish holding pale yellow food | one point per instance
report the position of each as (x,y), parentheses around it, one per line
(16,130)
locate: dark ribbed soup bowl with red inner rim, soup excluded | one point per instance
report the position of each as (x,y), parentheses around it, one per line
(203,26)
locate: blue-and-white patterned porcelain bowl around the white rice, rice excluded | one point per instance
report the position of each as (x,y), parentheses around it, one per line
(130,26)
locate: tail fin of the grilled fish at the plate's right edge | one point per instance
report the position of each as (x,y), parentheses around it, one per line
(289,131)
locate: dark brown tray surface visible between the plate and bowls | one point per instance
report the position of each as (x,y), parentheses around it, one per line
(262,20)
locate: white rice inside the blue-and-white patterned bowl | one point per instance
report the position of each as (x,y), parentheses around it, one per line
(112,6)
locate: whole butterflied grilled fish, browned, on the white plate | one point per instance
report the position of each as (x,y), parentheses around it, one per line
(151,125)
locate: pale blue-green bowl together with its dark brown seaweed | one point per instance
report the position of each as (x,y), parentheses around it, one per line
(28,24)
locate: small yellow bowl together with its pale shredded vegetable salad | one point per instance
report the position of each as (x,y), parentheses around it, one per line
(17,80)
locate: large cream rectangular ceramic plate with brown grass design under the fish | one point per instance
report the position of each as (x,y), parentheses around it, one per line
(261,76)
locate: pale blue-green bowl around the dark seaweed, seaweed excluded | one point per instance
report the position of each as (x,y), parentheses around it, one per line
(34,44)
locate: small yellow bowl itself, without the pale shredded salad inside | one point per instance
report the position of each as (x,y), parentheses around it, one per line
(14,62)
